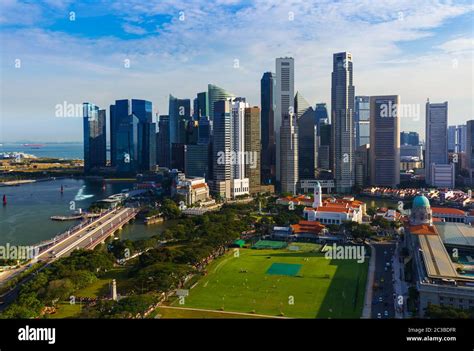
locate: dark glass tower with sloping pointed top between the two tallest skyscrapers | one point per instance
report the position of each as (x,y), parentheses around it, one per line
(307,138)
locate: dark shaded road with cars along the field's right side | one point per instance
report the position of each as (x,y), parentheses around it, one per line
(383,297)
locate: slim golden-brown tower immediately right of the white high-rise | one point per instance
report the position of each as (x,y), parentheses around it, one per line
(252,148)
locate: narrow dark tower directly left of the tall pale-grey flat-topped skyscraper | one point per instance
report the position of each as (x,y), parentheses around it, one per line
(267,86)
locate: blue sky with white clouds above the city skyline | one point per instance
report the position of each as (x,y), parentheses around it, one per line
(61,52)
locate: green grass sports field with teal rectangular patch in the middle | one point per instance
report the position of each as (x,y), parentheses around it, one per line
(284,282)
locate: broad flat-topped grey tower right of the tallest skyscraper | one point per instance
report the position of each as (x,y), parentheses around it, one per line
(385,140)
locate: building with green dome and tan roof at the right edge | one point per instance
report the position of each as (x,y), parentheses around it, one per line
(442,258)
